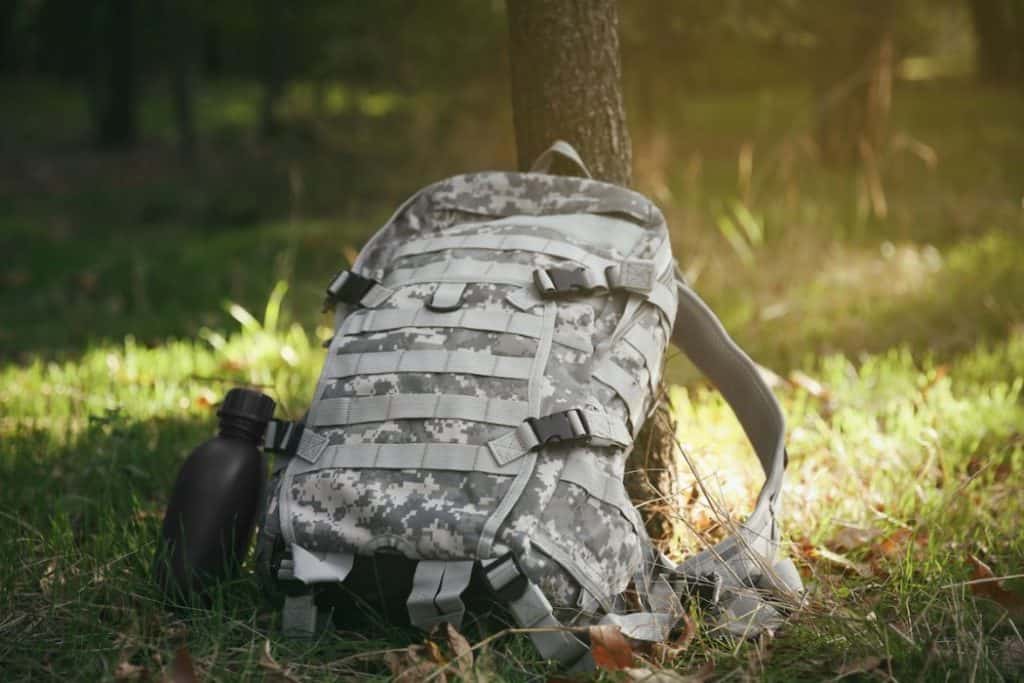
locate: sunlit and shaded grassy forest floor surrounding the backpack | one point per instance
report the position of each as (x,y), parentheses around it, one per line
(897,341)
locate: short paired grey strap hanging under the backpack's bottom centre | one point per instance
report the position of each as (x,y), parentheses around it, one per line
(437,594)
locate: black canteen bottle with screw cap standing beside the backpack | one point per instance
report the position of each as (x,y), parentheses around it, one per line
(214,507)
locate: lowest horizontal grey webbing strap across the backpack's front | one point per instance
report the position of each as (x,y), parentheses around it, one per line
(451,457)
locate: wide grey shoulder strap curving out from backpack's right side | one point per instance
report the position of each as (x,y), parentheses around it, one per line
(700,334)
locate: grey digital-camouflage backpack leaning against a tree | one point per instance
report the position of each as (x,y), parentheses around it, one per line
(497,349)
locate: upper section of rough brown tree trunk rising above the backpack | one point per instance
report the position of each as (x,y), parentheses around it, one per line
(567,74)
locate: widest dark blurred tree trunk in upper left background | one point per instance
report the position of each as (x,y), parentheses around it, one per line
(119,109)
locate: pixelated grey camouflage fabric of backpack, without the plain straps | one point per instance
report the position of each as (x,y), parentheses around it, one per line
(582,547)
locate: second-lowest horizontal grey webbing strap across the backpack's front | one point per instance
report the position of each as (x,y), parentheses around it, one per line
(360,410)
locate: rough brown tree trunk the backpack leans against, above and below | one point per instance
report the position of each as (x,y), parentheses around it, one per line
(567,84)
